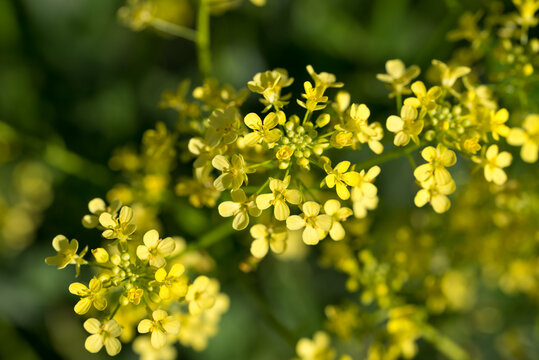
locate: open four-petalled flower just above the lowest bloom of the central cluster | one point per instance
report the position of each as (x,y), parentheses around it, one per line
(279,196)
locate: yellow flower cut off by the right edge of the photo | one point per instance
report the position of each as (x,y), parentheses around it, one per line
(528,138)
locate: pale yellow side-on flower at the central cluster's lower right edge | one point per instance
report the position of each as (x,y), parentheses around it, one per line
(364,195)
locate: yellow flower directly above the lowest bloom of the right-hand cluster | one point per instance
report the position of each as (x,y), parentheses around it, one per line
(438,159)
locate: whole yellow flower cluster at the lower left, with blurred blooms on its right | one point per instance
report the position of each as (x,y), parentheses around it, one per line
(138,271)
